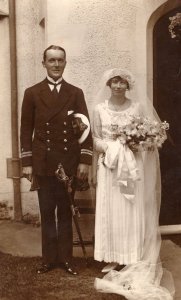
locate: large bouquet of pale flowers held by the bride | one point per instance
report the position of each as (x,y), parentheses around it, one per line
(141,132)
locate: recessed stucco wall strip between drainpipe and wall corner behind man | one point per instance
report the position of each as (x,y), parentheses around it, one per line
(30,46)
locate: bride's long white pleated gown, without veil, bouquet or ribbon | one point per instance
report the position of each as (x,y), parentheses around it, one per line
(119,227)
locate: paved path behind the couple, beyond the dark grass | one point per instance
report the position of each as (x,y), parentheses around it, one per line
(24,240)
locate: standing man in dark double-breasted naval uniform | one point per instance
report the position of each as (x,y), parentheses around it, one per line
(48,138)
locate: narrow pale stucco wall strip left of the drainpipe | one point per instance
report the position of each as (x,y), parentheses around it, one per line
(6,188)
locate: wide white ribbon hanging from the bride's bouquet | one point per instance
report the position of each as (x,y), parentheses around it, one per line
(120,156)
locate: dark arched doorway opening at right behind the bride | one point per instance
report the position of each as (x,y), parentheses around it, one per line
(167,101)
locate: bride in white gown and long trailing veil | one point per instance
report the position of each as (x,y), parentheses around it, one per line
(127,199)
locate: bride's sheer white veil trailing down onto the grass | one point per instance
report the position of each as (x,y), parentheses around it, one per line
(147,279)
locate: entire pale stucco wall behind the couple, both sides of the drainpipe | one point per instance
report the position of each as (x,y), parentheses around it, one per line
(97,35)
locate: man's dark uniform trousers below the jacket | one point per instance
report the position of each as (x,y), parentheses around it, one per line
(56,221)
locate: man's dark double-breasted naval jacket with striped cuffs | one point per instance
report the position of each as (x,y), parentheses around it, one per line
(47,134)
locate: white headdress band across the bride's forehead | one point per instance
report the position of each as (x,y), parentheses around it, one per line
(123,73)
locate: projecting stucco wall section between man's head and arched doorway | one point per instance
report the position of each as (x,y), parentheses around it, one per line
(99,35)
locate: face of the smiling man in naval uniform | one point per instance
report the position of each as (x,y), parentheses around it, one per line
(54,63)
